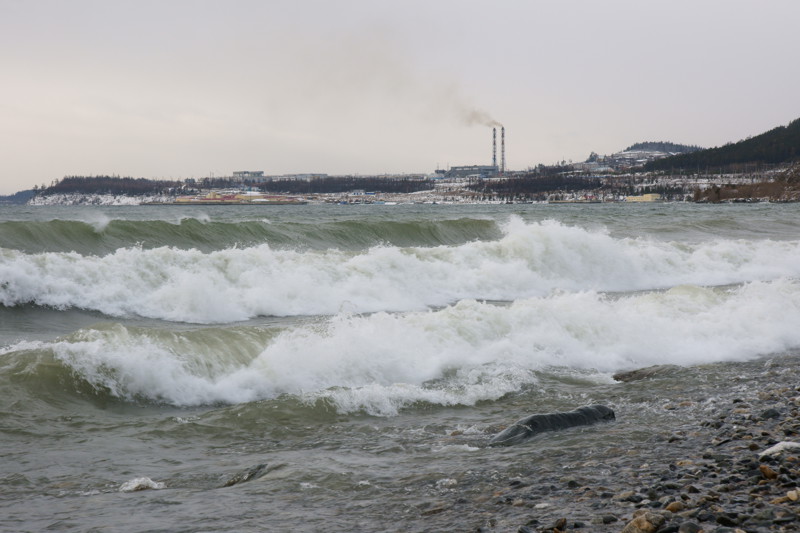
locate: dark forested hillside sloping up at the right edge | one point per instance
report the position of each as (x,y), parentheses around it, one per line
(779,145)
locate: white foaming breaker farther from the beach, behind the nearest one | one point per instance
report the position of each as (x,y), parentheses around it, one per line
(530,260)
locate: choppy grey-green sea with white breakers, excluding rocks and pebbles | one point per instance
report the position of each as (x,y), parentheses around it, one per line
(364,354)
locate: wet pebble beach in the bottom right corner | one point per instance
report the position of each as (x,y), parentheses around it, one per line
(727,471)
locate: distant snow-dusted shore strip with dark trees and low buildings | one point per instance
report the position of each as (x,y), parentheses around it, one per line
(776,184)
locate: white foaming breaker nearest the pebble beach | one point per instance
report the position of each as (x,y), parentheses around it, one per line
(461,354)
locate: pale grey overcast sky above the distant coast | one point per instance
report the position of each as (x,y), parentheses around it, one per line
(187,88)
